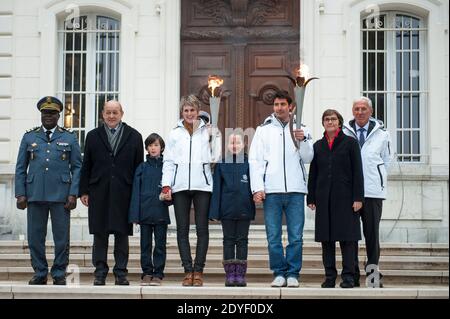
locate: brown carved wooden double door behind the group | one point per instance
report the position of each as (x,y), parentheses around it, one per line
(252,44)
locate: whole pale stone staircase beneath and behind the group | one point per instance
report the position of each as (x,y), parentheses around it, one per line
(410,271)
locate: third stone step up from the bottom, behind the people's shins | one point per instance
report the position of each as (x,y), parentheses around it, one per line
(255,261)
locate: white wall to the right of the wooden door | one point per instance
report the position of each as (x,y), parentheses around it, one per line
(417,203)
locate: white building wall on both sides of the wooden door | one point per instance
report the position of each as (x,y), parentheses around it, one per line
(150,70)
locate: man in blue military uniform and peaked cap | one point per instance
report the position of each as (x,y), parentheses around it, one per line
(47,178)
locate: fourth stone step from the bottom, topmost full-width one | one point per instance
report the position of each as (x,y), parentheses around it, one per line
(255,247)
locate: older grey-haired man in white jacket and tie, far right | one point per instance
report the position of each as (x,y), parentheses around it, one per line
(376,156)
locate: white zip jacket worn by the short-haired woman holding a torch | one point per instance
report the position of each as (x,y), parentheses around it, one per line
(187,160)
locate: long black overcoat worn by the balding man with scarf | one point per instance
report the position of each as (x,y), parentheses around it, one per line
(108,179)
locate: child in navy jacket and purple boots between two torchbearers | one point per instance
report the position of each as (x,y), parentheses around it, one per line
(232,204)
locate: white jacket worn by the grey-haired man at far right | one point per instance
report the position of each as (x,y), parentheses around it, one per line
(376,156)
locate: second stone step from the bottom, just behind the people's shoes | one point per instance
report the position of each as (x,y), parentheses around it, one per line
(255,275)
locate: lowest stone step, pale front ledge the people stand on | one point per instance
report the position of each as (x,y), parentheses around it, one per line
(209,291)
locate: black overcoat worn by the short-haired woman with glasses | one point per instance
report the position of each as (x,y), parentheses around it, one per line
(335,182)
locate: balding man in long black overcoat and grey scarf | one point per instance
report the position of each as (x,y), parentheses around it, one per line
(112,153)
